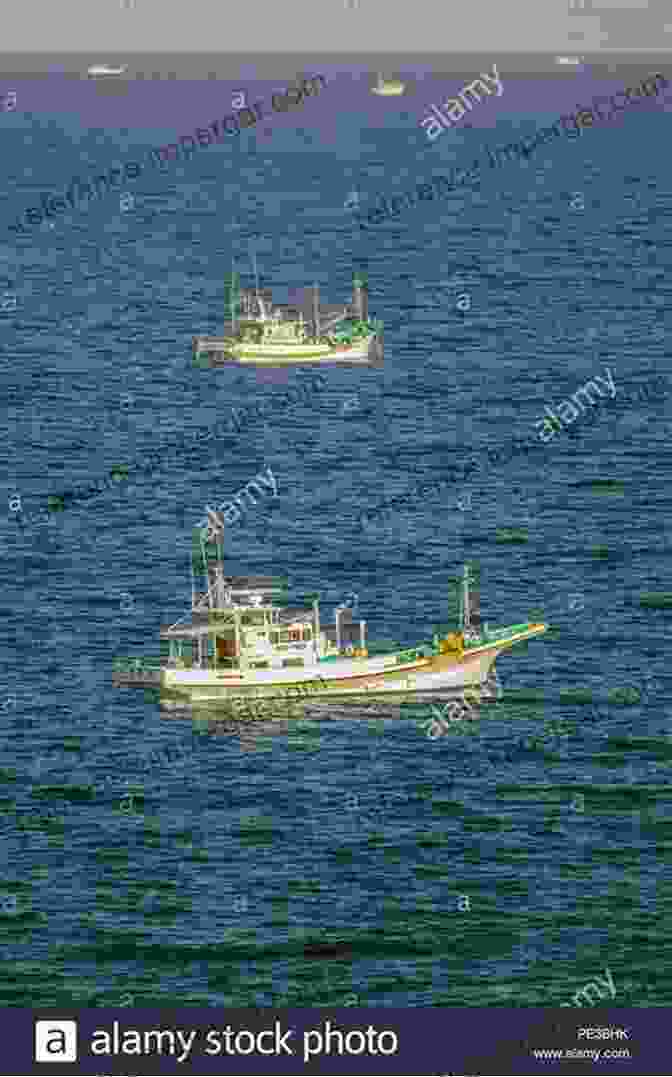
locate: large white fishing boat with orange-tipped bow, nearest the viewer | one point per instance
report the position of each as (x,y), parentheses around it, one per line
(245,642)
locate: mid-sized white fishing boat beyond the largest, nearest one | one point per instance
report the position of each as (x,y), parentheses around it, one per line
(263,334)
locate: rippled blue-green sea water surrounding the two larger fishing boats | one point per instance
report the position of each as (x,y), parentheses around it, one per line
(343,858)
